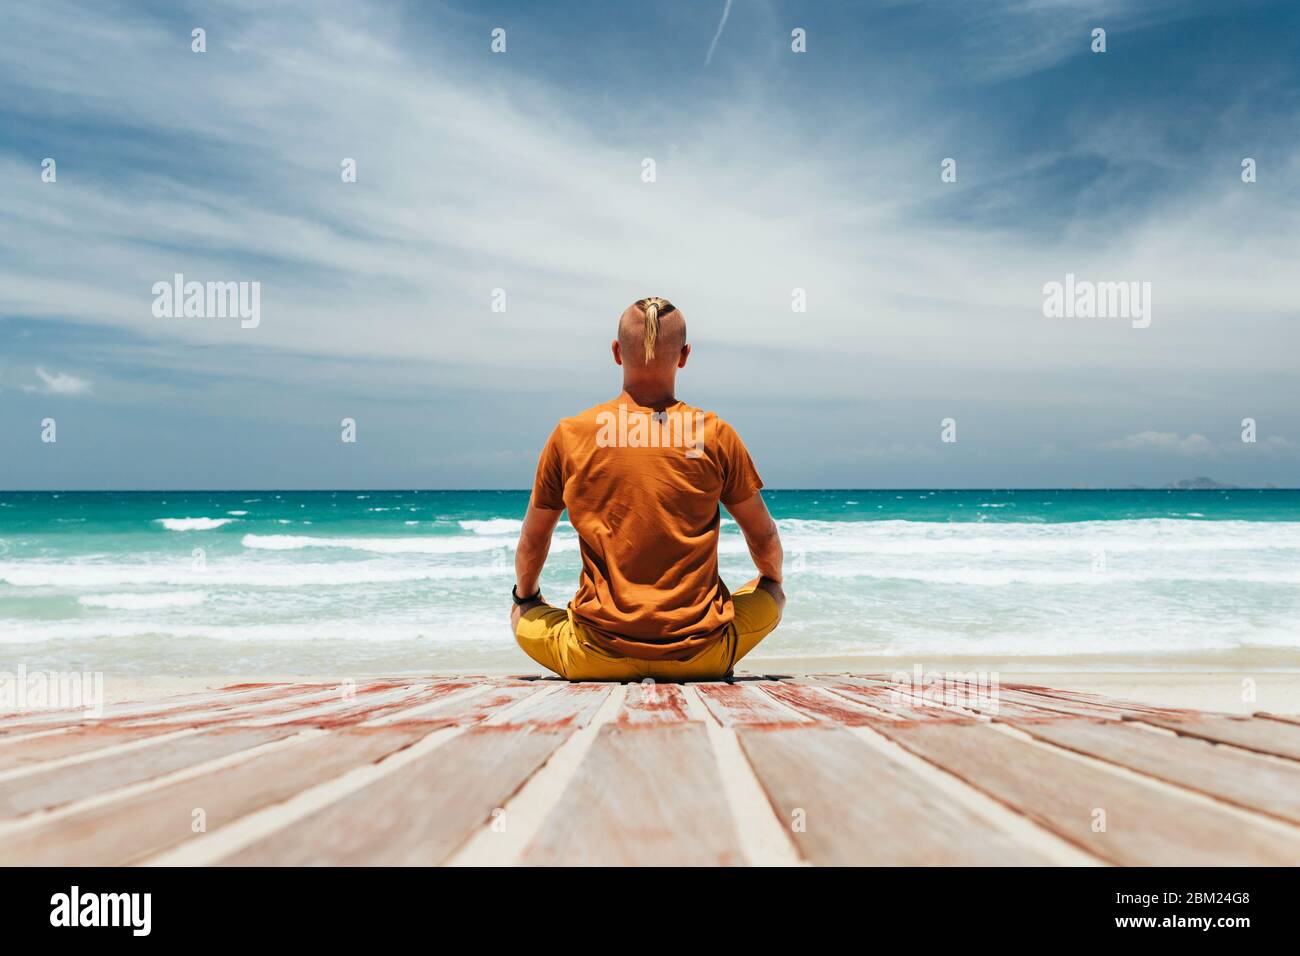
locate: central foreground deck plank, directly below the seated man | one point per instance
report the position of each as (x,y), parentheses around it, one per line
(644,797)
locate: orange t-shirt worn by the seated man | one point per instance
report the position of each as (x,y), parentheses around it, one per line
(643,490)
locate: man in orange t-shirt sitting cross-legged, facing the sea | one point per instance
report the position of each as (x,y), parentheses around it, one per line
(643,477)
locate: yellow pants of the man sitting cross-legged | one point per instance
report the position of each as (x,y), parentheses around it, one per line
(549,637)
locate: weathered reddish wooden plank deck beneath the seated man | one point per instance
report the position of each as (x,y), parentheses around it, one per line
(775,772)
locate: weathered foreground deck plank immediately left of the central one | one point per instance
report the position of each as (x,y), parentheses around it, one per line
(421,814)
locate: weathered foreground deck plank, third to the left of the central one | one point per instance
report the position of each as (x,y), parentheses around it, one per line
(45,789)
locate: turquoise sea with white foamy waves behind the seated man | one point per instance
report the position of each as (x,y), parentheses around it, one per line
(197,583)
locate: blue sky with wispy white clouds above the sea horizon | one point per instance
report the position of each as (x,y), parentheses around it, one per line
(522,171)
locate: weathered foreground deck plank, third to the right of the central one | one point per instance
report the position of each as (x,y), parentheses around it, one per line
(1240,778)
